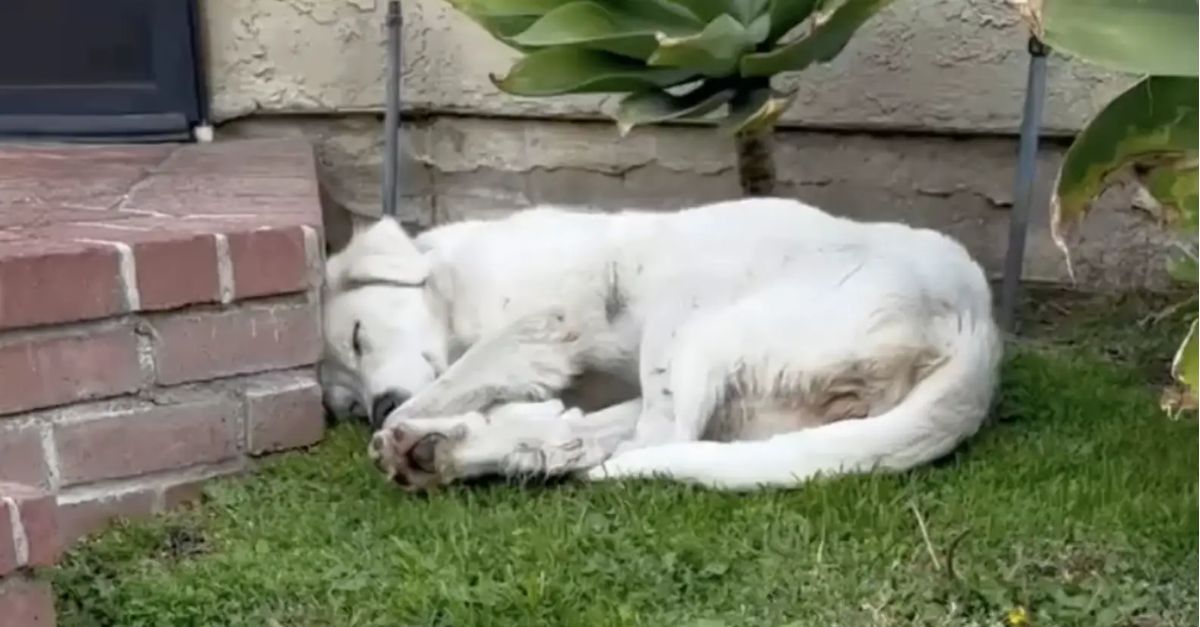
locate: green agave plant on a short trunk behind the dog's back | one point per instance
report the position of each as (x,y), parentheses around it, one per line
(675,59)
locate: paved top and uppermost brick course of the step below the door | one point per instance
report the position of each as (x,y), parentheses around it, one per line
(89,234)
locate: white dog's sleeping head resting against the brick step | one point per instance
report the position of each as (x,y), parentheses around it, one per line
(385,339)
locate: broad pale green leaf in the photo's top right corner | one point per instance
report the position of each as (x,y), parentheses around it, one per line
(1139,37)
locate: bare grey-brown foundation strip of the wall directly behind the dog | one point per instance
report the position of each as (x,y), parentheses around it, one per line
(459,169)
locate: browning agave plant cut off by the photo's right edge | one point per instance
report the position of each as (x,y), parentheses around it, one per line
(1150,129)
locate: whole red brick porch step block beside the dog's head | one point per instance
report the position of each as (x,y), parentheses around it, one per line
(165,339)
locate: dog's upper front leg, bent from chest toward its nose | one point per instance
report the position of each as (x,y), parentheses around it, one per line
(532,360)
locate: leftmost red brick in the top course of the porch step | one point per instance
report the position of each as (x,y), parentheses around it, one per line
(45,282)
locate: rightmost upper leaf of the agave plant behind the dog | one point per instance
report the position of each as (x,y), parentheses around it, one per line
(829,37)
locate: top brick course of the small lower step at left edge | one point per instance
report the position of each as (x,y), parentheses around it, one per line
(38,513)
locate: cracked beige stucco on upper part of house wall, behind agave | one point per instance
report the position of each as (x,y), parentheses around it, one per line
(934,65)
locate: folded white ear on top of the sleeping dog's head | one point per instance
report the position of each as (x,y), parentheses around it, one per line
(379,254)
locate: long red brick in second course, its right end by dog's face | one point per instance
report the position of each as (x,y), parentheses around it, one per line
(201,347)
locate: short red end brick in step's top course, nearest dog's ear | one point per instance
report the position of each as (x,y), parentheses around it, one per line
(269,261)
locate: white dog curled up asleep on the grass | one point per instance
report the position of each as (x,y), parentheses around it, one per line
(771,343)
